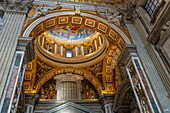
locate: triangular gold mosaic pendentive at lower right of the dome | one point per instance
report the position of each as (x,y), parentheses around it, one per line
(96,70)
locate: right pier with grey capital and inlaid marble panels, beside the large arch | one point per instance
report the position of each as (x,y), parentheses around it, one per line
(130,65)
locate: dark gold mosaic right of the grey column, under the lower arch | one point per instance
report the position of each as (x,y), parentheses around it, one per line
(88,91)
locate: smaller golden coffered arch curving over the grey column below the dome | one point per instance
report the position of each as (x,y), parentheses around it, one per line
(86,74)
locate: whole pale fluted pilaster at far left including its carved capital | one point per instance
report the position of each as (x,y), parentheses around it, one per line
(13,23)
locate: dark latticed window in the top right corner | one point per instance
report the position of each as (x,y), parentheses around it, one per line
(151,5)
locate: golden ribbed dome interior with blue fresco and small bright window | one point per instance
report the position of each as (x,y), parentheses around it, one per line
(71,46)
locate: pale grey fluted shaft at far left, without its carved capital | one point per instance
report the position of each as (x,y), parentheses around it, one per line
(9,34)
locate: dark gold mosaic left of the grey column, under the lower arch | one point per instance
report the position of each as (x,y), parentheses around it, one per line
(48,90)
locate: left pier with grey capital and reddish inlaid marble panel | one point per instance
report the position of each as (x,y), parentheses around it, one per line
(24,54)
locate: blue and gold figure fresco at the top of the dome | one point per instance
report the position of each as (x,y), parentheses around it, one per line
(71,32)
